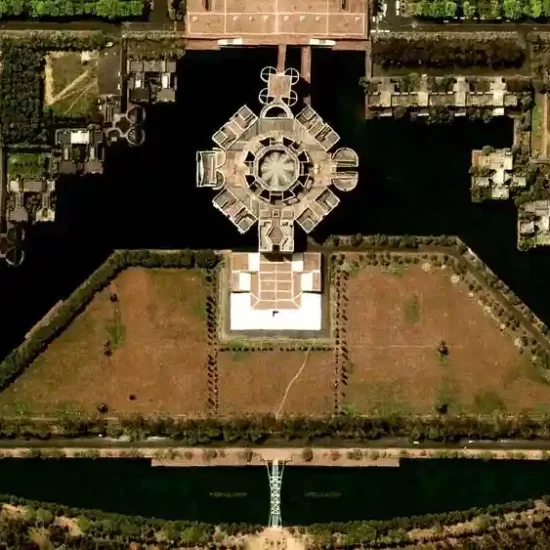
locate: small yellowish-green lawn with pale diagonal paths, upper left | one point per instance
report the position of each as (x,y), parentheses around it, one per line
(71,85)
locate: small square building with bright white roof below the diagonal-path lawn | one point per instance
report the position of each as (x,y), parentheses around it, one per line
(80,150)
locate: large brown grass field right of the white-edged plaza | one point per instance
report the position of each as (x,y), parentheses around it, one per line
(395,323)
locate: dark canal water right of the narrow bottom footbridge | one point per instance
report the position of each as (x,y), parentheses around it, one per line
(322,495)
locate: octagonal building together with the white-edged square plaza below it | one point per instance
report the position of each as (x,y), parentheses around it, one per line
(276,169)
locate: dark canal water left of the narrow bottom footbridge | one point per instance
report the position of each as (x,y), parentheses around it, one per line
(133,487)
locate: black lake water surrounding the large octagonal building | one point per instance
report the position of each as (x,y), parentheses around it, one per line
(413,180)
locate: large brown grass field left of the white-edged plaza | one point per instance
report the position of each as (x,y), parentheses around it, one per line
(156,334)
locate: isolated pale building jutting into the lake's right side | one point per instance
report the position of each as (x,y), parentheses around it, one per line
(493,174)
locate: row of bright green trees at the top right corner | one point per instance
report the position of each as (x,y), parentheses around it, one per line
(484,9)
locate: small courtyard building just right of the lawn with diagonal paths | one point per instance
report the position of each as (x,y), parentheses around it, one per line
(152,81)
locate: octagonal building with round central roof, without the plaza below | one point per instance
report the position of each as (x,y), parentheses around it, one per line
(275,168)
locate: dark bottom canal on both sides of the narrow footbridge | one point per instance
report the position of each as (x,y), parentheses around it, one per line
(309,494)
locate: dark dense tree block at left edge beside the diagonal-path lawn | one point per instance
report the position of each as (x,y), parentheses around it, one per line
(21,94)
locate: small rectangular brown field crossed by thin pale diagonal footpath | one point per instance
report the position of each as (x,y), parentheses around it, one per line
(256,382)
